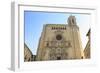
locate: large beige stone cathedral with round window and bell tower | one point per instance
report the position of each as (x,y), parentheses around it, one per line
(60,42)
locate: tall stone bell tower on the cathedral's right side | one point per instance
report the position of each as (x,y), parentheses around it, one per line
(75,37)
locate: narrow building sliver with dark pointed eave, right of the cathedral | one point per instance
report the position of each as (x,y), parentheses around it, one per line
(87,48)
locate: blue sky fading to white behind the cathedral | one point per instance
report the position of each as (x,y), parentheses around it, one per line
(34,21)
